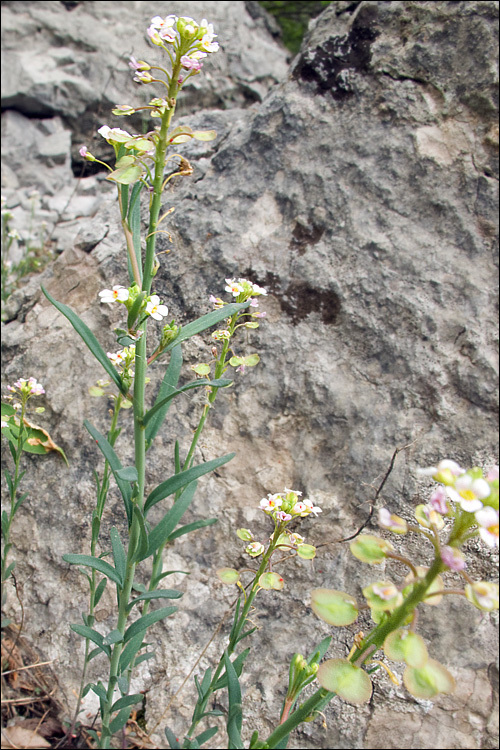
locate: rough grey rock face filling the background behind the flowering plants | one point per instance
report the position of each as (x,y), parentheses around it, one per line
(361,192)
